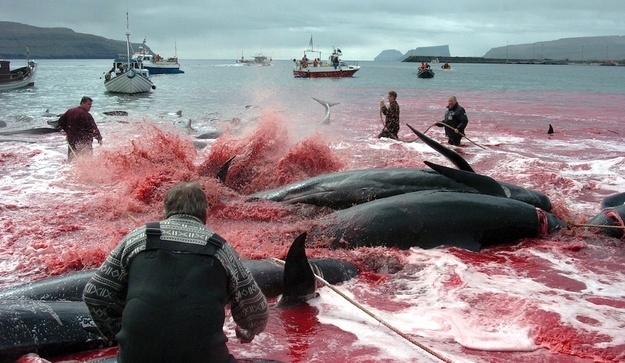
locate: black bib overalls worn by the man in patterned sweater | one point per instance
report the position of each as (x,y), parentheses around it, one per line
(175,303)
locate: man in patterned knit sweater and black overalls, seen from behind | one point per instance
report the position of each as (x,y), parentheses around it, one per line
(162,292)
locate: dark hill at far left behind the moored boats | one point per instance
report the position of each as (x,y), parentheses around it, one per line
(56,43)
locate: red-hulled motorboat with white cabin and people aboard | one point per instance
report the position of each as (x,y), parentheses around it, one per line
(313,66)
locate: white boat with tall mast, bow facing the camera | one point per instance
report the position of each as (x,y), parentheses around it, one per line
(128,76)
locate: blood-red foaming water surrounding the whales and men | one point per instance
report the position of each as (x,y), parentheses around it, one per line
(565,290)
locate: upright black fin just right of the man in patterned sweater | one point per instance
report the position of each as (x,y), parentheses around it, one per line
(299,279)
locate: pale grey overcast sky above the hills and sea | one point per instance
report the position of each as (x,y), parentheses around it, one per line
(282,29)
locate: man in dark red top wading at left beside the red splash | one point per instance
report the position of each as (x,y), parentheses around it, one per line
(80,129)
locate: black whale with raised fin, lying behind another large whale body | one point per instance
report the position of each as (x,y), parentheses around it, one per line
(348,188)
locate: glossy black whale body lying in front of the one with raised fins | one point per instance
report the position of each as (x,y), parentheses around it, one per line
(429,219)
